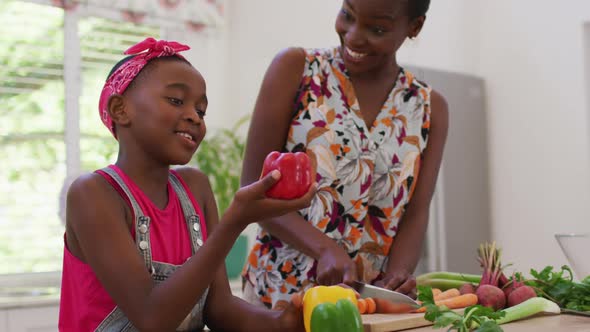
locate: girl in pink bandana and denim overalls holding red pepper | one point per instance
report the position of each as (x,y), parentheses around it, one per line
(143,246)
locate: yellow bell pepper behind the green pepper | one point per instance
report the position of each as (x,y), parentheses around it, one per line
(326,294)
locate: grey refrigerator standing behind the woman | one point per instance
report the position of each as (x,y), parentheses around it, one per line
(460,211)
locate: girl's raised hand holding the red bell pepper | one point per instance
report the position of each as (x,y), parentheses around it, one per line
(250,203)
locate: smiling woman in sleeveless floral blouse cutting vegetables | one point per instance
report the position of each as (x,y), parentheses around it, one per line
(377,135)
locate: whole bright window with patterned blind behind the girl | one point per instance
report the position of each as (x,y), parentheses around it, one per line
(53,63)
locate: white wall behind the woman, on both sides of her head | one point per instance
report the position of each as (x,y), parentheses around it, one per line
(529,52)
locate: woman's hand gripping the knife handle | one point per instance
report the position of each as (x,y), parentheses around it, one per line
(335,267)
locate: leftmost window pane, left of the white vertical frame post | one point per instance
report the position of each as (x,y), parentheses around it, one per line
(31,136)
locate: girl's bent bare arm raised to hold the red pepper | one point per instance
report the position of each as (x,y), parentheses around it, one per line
(98,233)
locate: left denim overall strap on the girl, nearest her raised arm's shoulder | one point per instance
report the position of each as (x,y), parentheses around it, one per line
(142,222)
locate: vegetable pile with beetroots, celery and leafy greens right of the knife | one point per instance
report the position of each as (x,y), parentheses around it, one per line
(495,298)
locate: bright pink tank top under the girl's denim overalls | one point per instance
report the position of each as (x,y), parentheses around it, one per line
(84,302)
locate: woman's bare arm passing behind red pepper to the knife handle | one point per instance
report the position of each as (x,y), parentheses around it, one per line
(268,132)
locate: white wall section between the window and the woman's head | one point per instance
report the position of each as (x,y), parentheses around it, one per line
(259,29)
